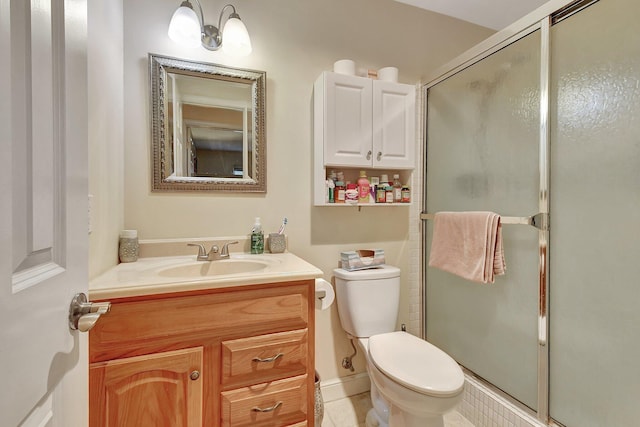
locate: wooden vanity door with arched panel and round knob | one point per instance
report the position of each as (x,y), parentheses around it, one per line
(163,389)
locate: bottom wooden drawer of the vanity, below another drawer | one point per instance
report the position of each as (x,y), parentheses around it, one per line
(278,403)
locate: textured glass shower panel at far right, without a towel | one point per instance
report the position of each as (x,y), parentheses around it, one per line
(595,217)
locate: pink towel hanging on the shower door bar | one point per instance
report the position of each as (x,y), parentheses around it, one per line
(468,244)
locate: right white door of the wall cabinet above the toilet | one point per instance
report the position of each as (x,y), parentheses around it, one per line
(394,110)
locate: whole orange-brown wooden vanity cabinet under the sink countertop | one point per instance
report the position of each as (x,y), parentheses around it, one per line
(222,357)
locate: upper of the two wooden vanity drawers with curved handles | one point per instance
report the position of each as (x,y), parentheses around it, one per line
(263,358)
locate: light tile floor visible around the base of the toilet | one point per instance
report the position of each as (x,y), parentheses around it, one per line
(351,412)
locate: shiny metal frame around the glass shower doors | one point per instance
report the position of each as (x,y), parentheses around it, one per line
(540,20)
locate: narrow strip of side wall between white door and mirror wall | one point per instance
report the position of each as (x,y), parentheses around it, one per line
(106,131)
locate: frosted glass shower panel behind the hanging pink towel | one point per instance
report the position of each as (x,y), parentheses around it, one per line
(482,155)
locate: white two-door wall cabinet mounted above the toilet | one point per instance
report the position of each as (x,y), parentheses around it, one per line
(360,123)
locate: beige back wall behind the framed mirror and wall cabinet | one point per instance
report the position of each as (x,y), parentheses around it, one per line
(293,41)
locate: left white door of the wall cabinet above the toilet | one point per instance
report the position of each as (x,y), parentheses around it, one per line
(347,120)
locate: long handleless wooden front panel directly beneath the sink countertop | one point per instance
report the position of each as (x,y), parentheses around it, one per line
(224,314)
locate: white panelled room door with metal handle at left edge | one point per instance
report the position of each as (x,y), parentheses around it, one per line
(43,229)
